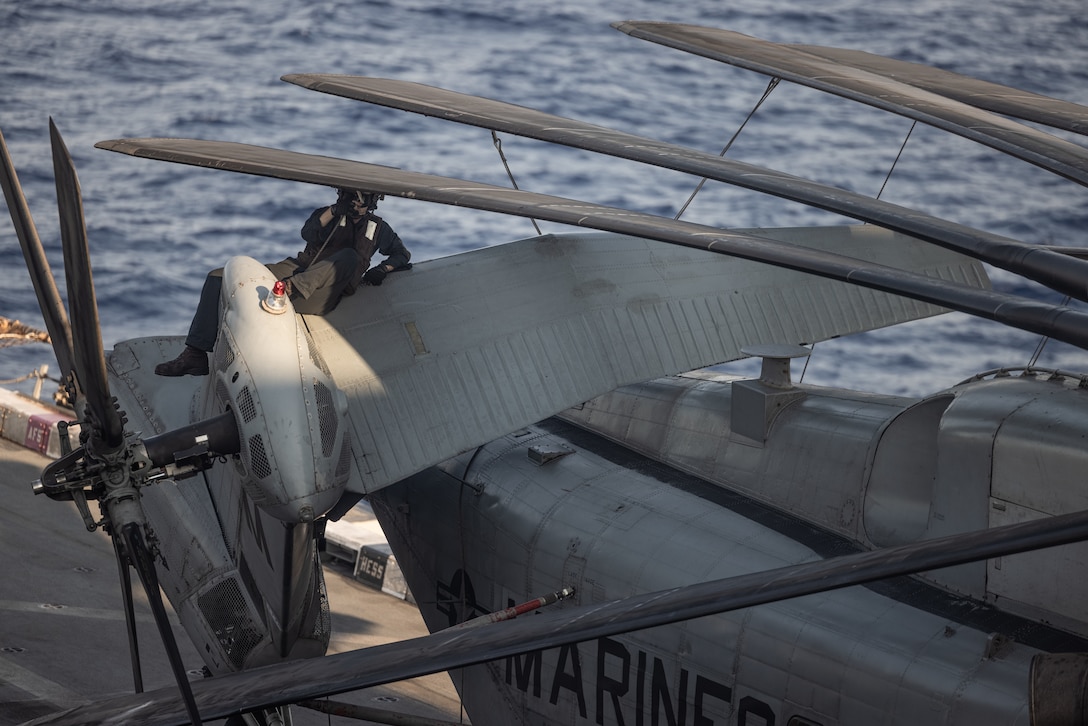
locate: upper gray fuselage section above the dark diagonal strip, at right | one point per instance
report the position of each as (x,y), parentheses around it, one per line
(885,471)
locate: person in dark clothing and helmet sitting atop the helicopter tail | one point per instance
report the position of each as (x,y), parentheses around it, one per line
(340,243)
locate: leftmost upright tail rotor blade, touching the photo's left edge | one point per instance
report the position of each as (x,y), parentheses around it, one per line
(45,285)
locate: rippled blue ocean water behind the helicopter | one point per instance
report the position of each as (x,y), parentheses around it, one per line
(110,69)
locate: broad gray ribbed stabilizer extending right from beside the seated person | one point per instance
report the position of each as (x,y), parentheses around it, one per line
(466,349)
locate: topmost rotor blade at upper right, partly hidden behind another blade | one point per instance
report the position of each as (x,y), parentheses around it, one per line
(981,94)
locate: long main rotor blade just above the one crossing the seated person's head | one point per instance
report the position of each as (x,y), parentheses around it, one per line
(1044,266)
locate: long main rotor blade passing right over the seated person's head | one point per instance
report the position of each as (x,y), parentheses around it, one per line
(1059,323)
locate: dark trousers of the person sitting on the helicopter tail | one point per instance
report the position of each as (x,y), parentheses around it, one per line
(317,290)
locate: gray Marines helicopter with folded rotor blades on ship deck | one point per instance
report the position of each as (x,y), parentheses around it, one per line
(688,534)
